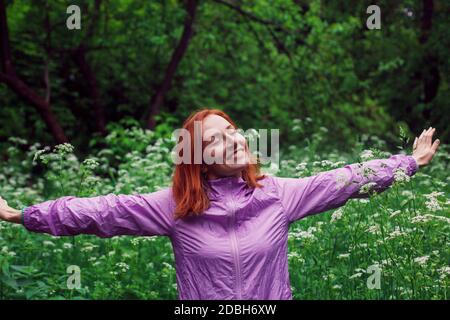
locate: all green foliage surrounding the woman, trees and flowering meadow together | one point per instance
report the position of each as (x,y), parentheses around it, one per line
(337,91)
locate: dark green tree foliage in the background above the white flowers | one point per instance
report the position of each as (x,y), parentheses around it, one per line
(313,59)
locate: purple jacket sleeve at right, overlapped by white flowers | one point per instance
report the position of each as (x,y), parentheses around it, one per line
(327,190)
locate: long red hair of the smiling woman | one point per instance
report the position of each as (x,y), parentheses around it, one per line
(188,182)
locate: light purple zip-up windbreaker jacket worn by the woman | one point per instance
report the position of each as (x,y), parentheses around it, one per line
(237,249)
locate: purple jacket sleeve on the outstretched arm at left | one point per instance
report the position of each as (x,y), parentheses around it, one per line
(105,216)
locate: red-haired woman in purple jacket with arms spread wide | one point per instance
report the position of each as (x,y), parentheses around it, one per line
(227,223)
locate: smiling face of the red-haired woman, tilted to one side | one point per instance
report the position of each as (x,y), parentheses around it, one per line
(225,146)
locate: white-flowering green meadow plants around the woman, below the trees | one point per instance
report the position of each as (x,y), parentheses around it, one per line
(402,231)
